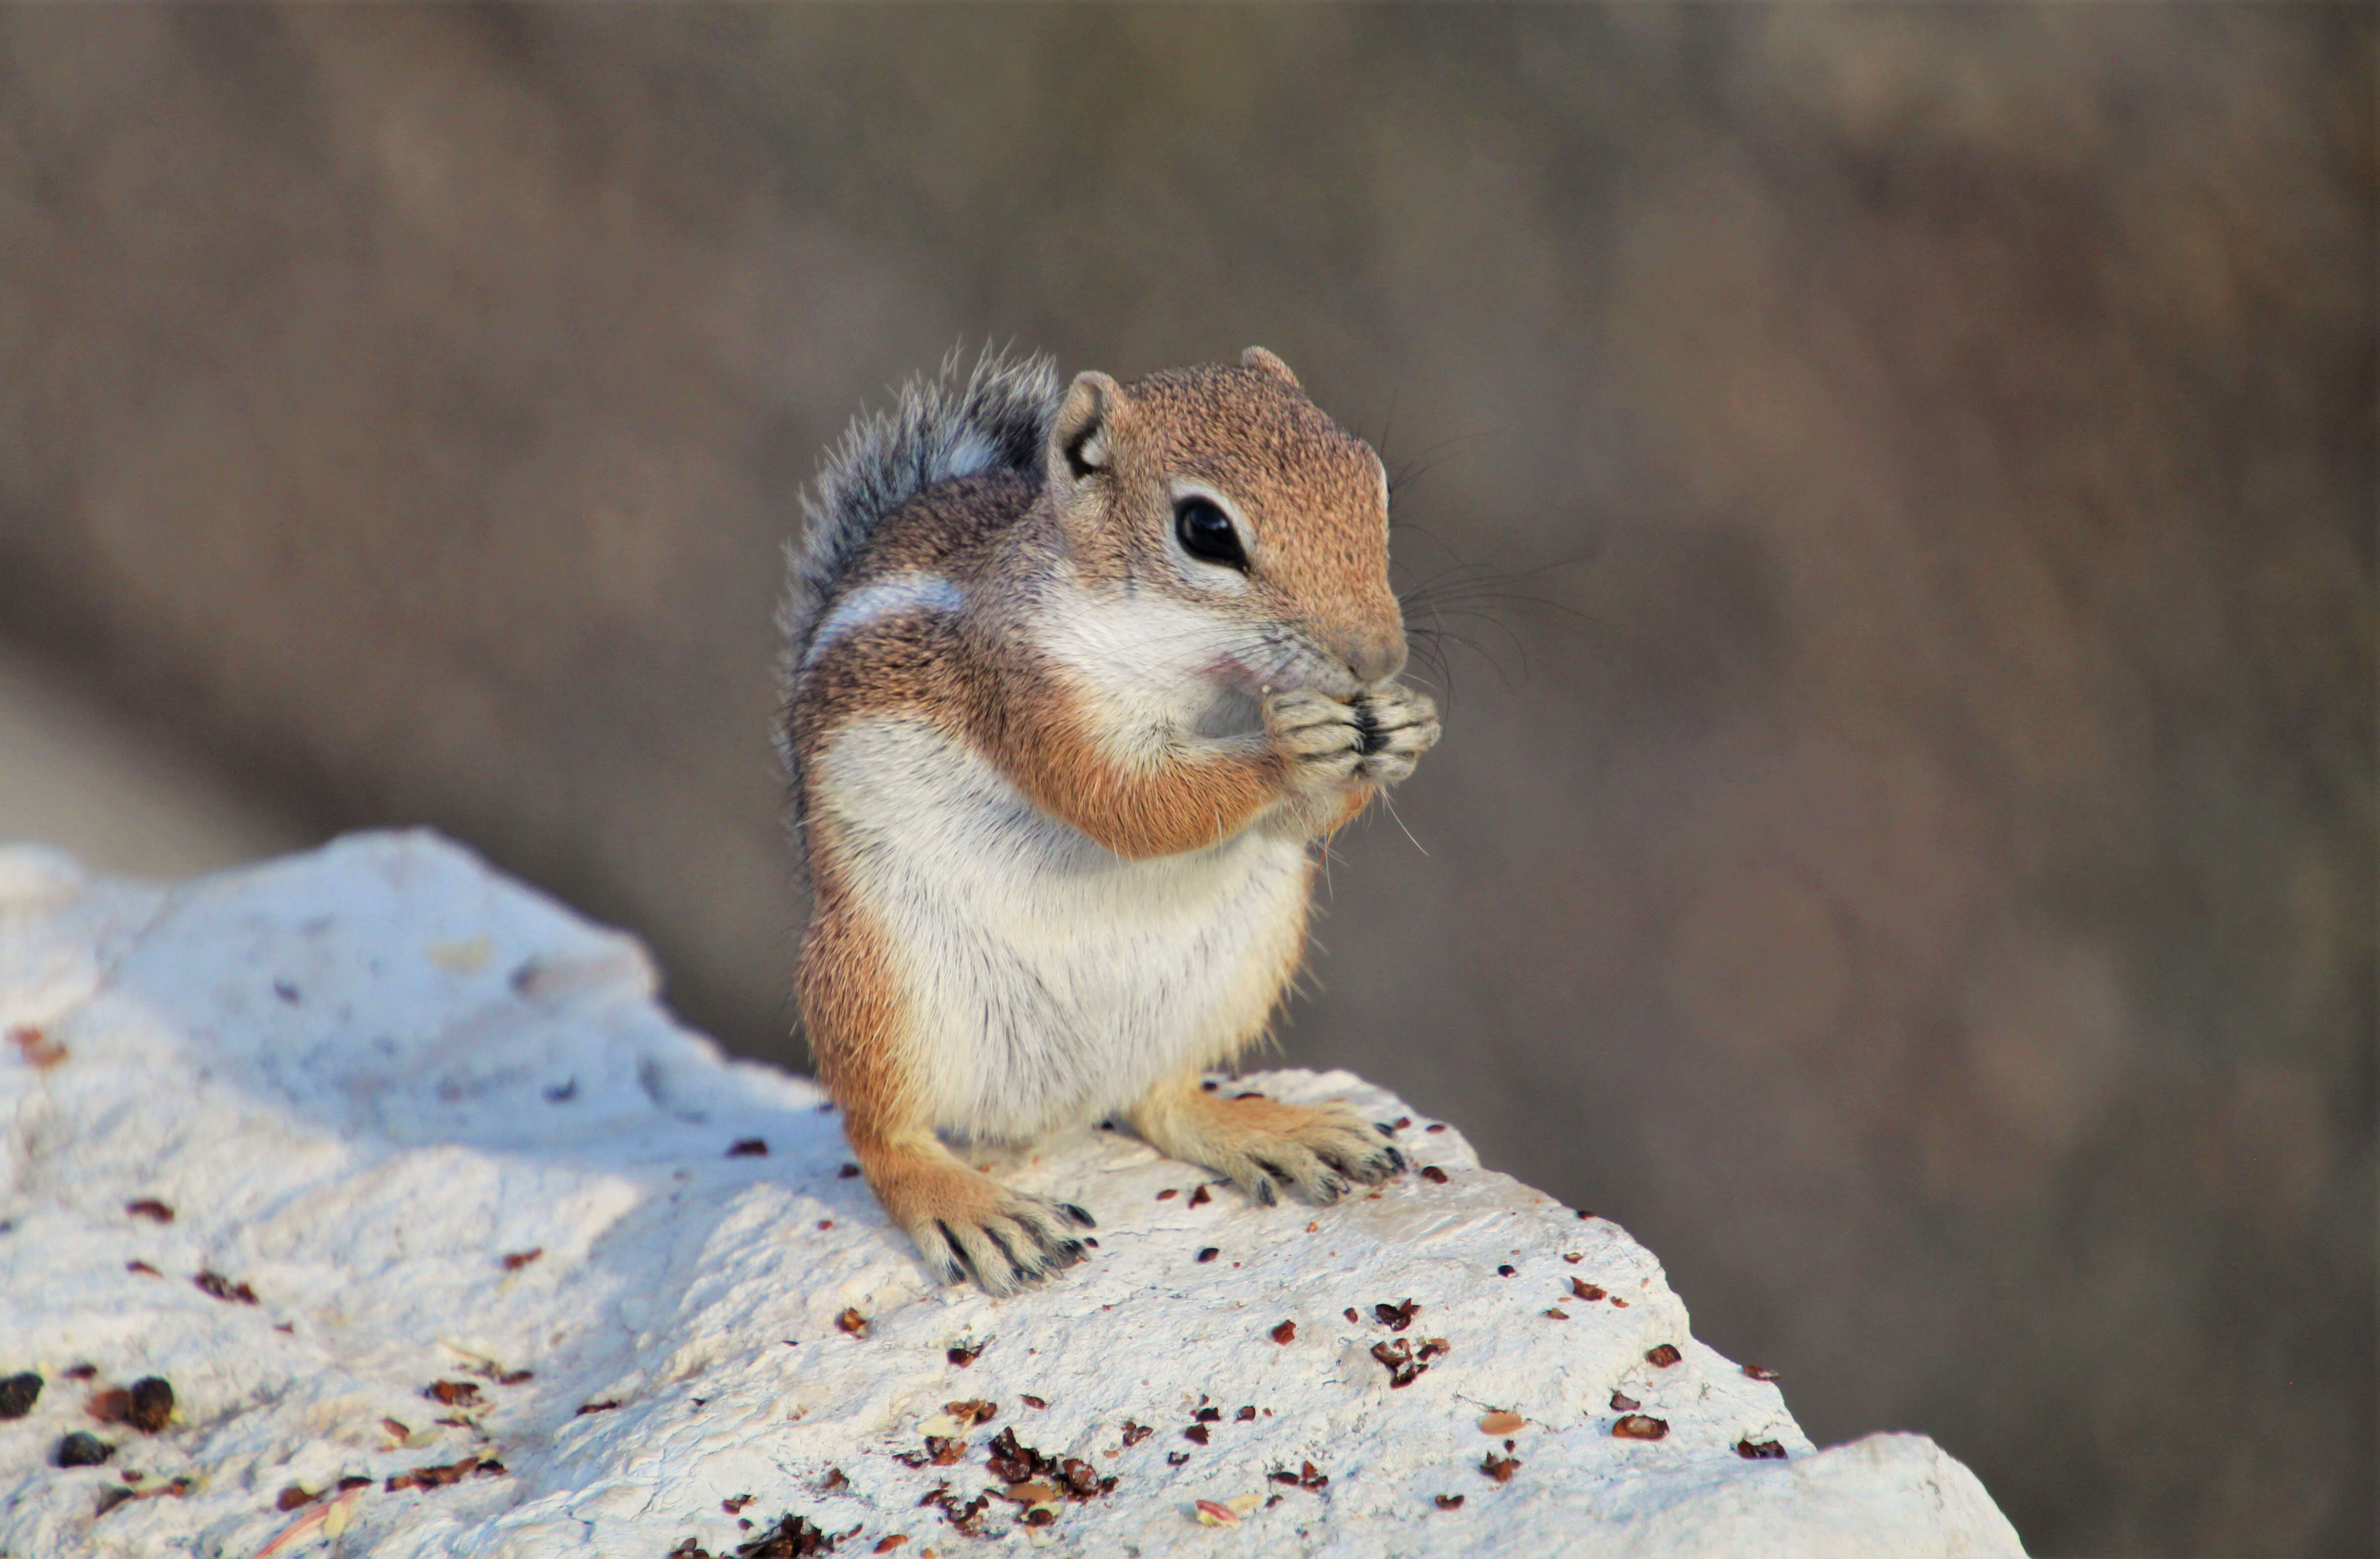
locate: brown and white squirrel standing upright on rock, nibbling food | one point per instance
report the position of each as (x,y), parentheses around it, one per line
(1075,682)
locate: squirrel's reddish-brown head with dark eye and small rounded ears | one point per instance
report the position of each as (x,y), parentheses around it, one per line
(1225,492)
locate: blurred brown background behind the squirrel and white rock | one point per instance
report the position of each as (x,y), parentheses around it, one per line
(1905,829)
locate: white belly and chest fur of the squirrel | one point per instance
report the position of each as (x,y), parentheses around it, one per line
(1046,979)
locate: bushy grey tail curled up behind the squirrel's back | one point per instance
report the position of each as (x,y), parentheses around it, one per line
(941,427)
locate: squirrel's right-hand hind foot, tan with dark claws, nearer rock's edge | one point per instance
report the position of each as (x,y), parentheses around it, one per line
(1320,1151)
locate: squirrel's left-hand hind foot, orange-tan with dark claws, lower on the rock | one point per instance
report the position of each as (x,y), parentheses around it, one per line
(967,1225)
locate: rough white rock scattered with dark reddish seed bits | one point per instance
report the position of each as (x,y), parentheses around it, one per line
(325,1139)
